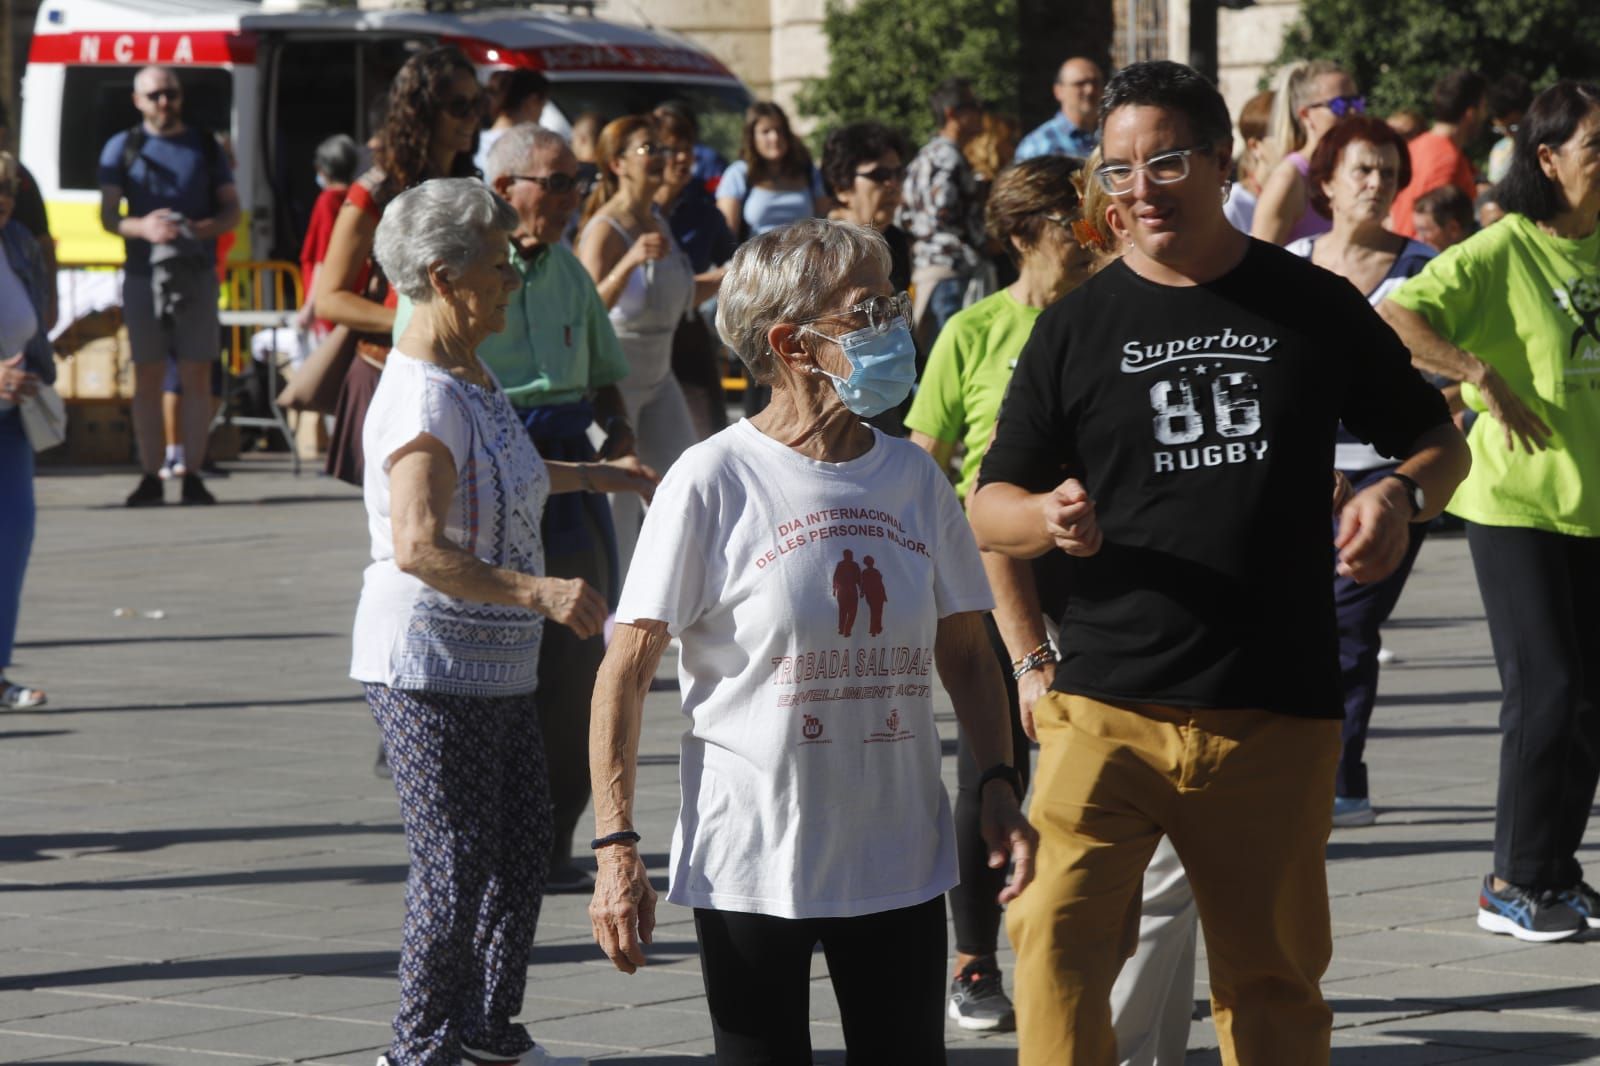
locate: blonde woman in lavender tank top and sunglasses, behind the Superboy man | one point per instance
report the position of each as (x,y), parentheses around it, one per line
(1310,98)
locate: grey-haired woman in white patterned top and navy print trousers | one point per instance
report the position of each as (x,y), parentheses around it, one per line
(447,633)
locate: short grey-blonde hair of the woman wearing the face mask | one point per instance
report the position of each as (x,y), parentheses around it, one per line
(790,275)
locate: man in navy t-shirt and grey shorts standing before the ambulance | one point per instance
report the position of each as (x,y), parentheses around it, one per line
(182,198)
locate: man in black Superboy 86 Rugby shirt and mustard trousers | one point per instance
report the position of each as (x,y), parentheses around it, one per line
(1172,428)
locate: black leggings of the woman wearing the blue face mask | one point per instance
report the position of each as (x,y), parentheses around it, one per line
(887,972)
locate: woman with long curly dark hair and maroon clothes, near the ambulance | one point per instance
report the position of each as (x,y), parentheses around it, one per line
(434,113)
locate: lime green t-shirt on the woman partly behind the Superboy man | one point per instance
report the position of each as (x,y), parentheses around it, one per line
(969,371)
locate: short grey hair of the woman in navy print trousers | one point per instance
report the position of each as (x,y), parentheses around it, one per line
(450,222)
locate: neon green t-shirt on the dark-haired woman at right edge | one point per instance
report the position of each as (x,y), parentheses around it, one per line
(1529,305)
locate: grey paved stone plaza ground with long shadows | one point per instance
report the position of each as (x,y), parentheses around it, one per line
(199,865)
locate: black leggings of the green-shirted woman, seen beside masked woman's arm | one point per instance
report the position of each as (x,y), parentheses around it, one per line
(974,904)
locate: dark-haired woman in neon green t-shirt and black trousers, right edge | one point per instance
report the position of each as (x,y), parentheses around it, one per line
(1514,315)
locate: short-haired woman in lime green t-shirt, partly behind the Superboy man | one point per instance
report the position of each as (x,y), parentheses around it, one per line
(1031,212)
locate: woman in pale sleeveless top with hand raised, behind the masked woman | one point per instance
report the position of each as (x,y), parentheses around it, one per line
(649,284)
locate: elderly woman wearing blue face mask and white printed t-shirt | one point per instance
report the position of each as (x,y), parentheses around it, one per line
(844,569)
